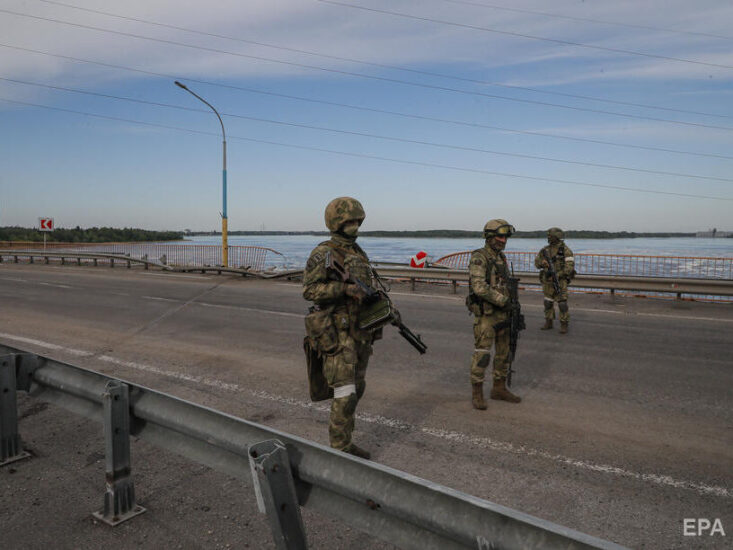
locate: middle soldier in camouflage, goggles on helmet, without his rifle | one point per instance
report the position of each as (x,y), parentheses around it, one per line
(488,300)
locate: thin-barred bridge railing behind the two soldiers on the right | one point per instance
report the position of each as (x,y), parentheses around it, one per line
(624,265)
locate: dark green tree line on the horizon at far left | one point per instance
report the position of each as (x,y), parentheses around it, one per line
(88,235)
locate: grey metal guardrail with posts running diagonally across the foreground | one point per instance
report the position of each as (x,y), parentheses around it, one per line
(388,504)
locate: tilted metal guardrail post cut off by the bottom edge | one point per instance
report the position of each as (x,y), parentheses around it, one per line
(276,496)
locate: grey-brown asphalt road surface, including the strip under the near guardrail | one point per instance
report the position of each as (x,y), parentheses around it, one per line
(625,429)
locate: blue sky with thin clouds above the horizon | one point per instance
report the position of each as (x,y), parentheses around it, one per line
(435,114)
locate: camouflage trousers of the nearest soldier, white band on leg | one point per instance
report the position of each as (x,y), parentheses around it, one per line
(345,372)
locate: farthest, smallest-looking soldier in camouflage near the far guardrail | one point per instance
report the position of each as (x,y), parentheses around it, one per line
(564,263)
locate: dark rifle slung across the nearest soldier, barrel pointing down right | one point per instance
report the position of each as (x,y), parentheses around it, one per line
(378,309)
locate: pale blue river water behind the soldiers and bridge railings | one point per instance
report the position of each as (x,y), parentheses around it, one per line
(296,248)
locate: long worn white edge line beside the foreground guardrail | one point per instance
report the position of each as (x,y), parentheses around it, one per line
(447,435)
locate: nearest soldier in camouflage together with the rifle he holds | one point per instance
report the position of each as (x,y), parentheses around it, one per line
(346,319)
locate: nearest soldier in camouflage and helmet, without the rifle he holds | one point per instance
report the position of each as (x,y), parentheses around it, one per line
(345,358)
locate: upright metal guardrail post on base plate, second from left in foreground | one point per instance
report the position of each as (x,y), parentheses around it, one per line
(119,497)
